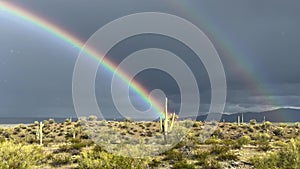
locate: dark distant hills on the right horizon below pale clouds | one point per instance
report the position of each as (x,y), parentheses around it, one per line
(277,115)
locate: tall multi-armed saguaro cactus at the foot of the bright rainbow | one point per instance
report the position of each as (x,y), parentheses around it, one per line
(165,124)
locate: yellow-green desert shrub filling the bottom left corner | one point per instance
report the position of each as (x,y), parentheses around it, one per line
(19,156)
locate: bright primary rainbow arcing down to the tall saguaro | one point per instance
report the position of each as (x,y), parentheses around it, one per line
(71,39)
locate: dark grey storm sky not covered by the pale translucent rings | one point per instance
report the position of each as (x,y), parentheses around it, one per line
(258,43)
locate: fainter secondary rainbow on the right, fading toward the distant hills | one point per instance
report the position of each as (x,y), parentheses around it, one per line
(254,79)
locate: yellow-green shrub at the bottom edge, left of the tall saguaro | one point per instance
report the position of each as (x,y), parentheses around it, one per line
(103,160)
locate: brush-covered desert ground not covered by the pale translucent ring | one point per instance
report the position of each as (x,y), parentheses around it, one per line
(67,145)
